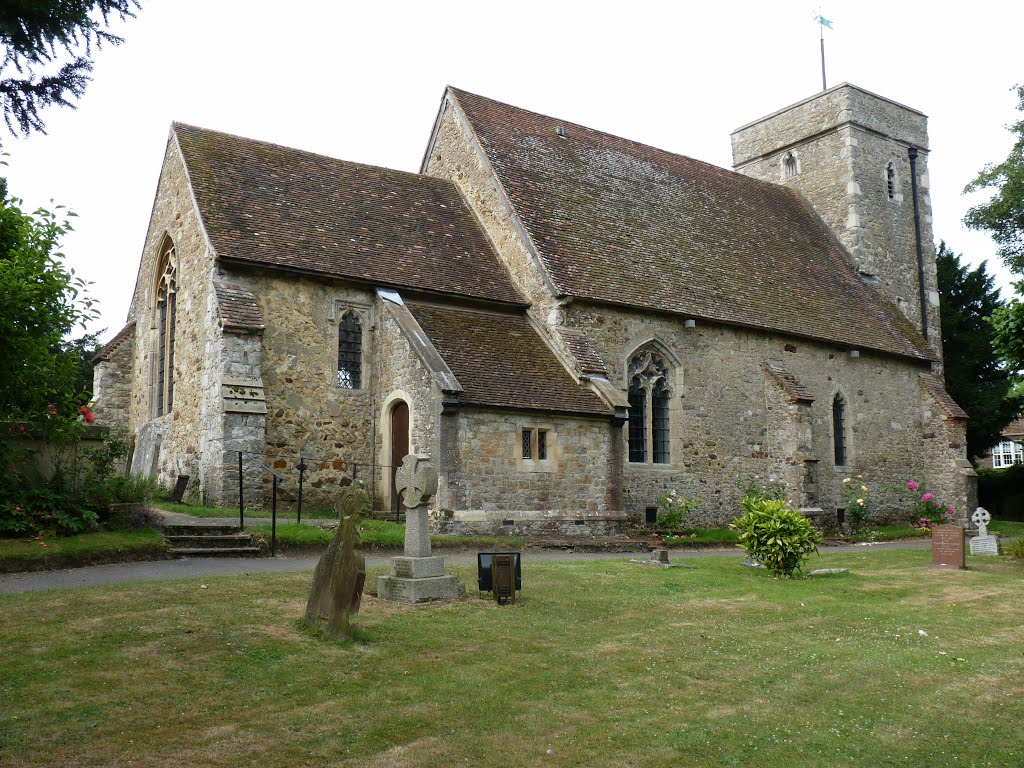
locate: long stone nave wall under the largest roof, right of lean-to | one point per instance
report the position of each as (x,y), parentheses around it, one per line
(730,425)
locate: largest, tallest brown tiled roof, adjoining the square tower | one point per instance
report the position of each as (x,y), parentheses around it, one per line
(621,223)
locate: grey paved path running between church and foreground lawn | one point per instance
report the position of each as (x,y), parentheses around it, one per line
(199,567)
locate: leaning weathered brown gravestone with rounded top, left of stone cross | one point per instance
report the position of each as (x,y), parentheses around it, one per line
(342,573)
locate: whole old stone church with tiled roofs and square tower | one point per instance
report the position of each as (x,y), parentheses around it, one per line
(567,322)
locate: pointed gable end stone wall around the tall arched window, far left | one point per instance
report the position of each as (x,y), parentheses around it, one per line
(173,443)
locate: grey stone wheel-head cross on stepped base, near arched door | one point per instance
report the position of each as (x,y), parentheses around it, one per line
(418,577)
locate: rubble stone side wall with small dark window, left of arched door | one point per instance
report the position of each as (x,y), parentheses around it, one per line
(309,415)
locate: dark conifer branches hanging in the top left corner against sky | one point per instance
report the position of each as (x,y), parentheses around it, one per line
(35,36)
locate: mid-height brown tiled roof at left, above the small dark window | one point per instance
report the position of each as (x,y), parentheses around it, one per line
(280,207)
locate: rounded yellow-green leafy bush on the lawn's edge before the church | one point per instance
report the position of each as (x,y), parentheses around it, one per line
(778,538)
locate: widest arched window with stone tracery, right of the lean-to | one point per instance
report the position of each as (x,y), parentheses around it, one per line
(650,397)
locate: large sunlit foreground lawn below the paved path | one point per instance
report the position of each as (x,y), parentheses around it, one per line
(609,663)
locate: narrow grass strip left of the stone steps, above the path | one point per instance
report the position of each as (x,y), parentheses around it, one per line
(87,549)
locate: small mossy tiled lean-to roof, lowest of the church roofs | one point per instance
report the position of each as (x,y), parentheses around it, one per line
(502,362)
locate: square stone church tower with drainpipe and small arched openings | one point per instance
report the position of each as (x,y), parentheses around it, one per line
(862,162)
